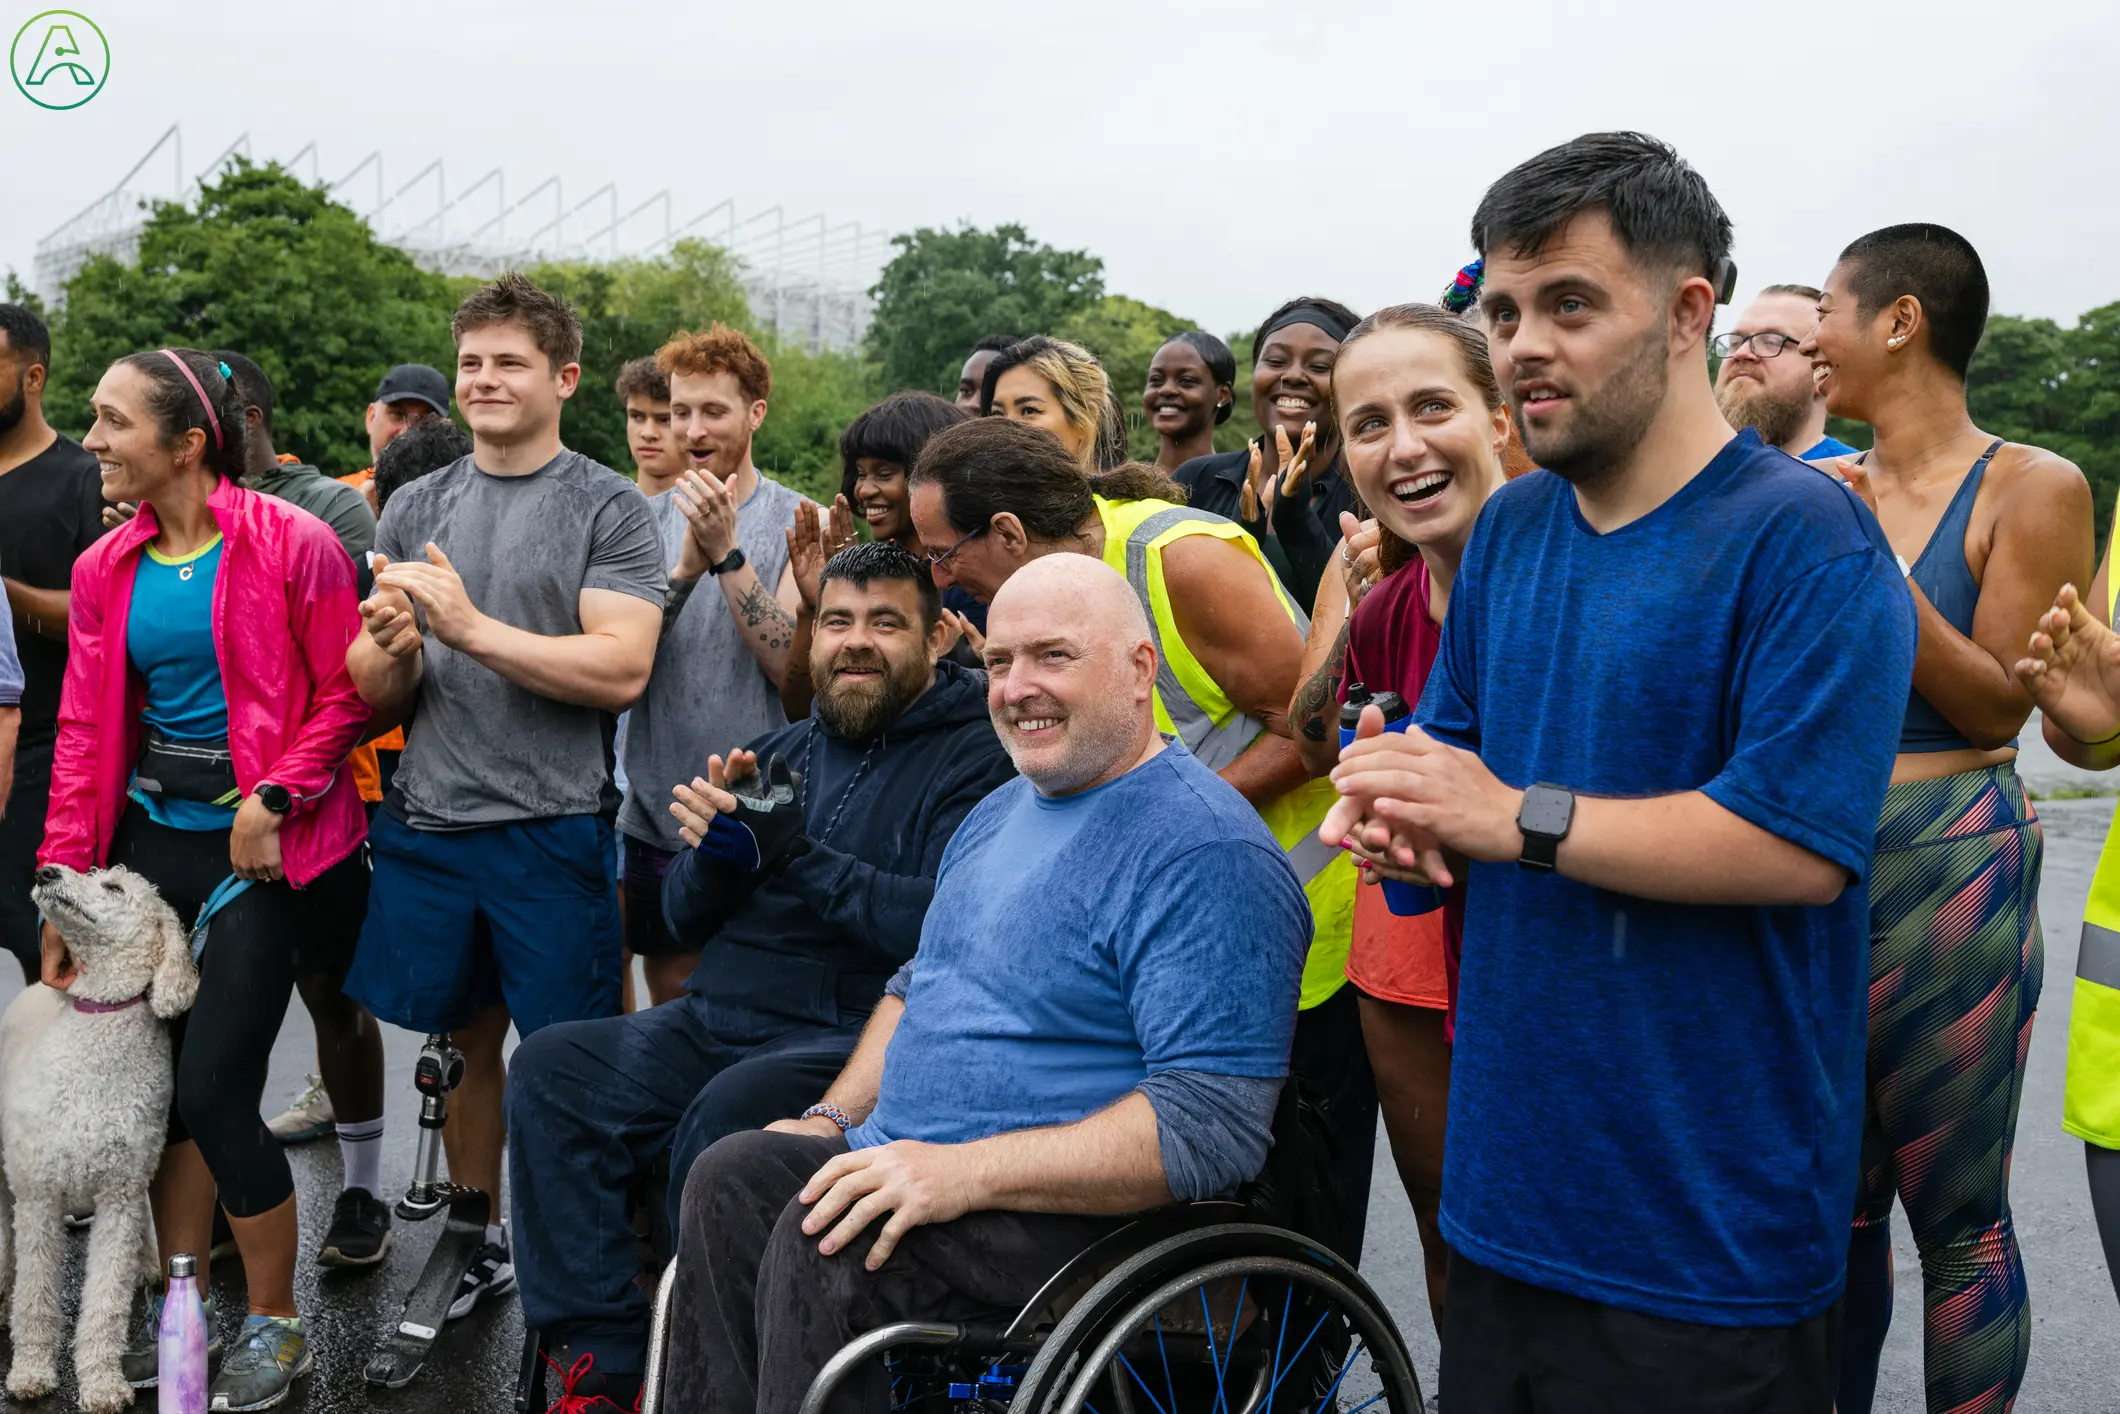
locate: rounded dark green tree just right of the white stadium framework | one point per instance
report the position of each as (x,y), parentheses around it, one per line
(947,289)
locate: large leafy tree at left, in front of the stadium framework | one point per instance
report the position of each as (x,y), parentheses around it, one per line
(277,270)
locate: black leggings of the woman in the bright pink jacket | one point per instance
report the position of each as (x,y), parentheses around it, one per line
(247,980)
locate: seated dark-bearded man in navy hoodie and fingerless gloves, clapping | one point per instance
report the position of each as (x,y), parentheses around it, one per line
(802,911)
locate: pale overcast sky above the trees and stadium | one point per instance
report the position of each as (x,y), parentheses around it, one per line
(1220,158)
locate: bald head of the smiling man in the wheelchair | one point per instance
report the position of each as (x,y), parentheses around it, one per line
(1072,675)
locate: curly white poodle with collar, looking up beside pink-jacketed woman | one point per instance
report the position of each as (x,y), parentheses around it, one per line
(84,1118)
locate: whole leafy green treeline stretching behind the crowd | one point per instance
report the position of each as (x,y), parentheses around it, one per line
(300,283)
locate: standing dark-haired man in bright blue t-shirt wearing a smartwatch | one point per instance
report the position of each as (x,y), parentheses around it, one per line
(1657,743)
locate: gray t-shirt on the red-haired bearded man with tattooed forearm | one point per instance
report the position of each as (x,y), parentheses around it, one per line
(707,692)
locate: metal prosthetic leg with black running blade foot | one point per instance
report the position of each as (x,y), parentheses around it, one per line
(404,1351)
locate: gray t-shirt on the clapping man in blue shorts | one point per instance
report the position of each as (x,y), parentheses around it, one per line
(480,749)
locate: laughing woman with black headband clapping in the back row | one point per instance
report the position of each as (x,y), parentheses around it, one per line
(1288,489)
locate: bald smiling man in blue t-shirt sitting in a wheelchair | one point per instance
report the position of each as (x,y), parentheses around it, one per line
(1097,1023)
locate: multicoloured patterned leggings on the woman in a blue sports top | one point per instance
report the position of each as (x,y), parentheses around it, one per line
(1956,959)
